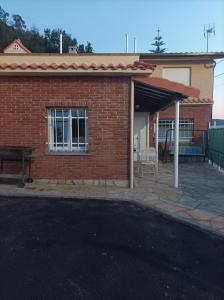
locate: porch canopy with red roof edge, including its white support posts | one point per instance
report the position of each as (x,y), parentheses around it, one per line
(152,94)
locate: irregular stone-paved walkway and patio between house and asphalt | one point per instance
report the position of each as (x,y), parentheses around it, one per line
(199,200)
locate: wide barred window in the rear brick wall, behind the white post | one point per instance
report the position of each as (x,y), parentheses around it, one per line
(166,128)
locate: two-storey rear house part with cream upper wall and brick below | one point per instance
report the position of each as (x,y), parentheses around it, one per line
(192,69)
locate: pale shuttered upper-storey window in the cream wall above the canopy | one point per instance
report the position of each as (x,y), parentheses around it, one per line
(181,75)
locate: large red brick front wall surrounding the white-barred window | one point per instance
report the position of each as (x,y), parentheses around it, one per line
(23,121)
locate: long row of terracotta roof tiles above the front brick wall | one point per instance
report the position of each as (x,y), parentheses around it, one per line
(137,65)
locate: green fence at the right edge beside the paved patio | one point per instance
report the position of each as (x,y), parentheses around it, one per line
(216,146)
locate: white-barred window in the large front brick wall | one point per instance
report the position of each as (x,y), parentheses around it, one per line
(68,130)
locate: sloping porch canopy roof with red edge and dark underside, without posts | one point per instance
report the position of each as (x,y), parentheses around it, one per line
(154,94)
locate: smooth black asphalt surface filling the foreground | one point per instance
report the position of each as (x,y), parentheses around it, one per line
(94,249)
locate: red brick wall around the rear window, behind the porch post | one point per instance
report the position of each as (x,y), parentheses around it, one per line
(201,115)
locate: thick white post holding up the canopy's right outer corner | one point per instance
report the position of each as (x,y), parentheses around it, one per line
(176,150)
